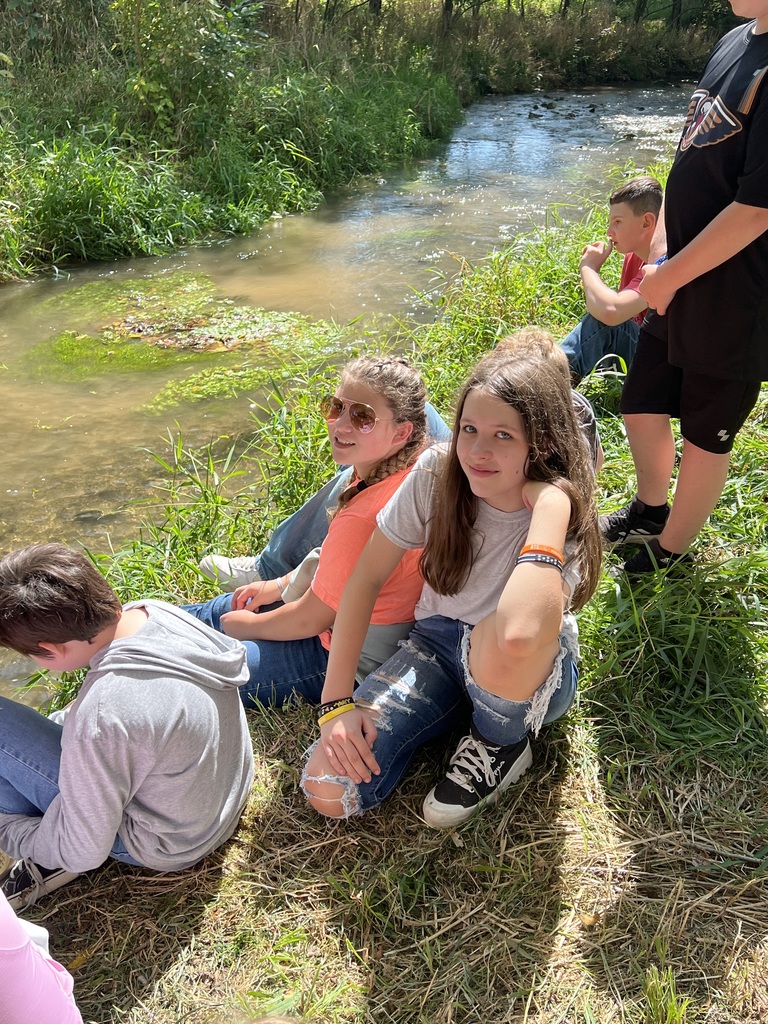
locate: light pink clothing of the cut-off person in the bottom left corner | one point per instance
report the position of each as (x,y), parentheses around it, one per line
(33,988)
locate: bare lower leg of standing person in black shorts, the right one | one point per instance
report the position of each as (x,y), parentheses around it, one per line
(700,485)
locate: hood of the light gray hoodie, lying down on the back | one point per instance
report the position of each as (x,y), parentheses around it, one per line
(175,645)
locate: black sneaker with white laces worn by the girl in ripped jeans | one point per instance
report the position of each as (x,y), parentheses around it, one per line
(479,775)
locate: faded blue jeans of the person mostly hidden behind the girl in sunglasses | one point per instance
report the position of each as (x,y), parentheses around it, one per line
(307,530)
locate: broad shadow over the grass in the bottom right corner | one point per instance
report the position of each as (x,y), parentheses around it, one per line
(679,704)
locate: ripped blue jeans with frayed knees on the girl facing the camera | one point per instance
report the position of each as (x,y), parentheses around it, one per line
(425,691)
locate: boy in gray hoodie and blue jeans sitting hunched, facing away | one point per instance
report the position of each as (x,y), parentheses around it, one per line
(152,763)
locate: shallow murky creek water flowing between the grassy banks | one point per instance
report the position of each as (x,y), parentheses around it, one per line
(74,454)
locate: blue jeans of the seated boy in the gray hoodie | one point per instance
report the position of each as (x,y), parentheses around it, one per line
(30,756)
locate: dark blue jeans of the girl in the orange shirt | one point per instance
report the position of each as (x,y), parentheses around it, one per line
(279,669)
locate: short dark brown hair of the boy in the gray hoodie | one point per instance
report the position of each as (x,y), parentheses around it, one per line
(52,594)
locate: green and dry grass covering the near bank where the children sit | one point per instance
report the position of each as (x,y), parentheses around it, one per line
(622,882)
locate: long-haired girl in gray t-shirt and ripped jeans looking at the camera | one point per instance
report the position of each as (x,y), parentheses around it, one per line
(506,517)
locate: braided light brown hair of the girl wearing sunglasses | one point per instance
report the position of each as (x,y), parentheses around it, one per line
(400,383)
